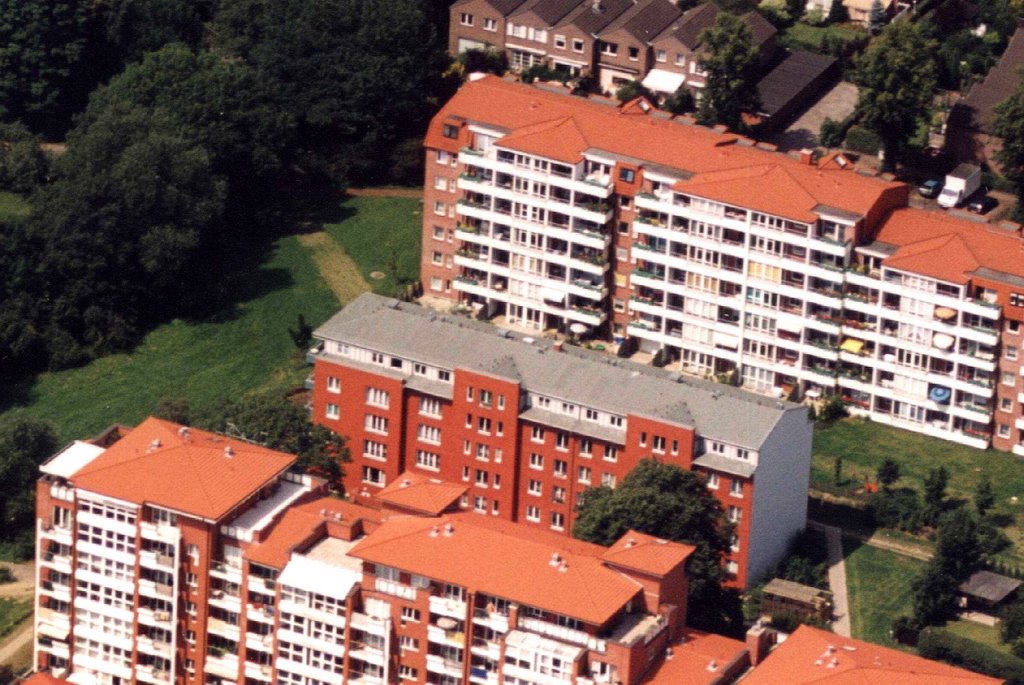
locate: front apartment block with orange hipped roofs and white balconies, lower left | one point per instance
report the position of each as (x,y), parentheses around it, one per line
(240,572)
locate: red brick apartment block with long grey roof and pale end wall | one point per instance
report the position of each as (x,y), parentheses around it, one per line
(527,426)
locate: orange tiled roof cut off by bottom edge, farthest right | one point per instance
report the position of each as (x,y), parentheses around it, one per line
(815,656)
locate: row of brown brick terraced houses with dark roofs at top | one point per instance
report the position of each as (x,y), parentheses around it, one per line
(617,41)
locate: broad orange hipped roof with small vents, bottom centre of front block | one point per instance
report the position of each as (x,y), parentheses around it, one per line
(458,551)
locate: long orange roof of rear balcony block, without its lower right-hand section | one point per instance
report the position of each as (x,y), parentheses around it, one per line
(563,127)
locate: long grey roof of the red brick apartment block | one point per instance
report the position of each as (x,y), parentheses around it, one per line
(576,375)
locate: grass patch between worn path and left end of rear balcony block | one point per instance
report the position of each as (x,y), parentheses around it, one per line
(382,235)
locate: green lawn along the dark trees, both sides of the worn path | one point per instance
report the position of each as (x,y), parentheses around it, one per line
(242,351)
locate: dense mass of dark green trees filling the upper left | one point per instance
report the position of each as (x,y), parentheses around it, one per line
(180,167)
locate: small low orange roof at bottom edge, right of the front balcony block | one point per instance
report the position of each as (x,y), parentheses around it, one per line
(699,660)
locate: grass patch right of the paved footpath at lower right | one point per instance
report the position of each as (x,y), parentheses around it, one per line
(878,584)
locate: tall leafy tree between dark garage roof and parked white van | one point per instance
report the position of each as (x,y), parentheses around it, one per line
(898,78)
